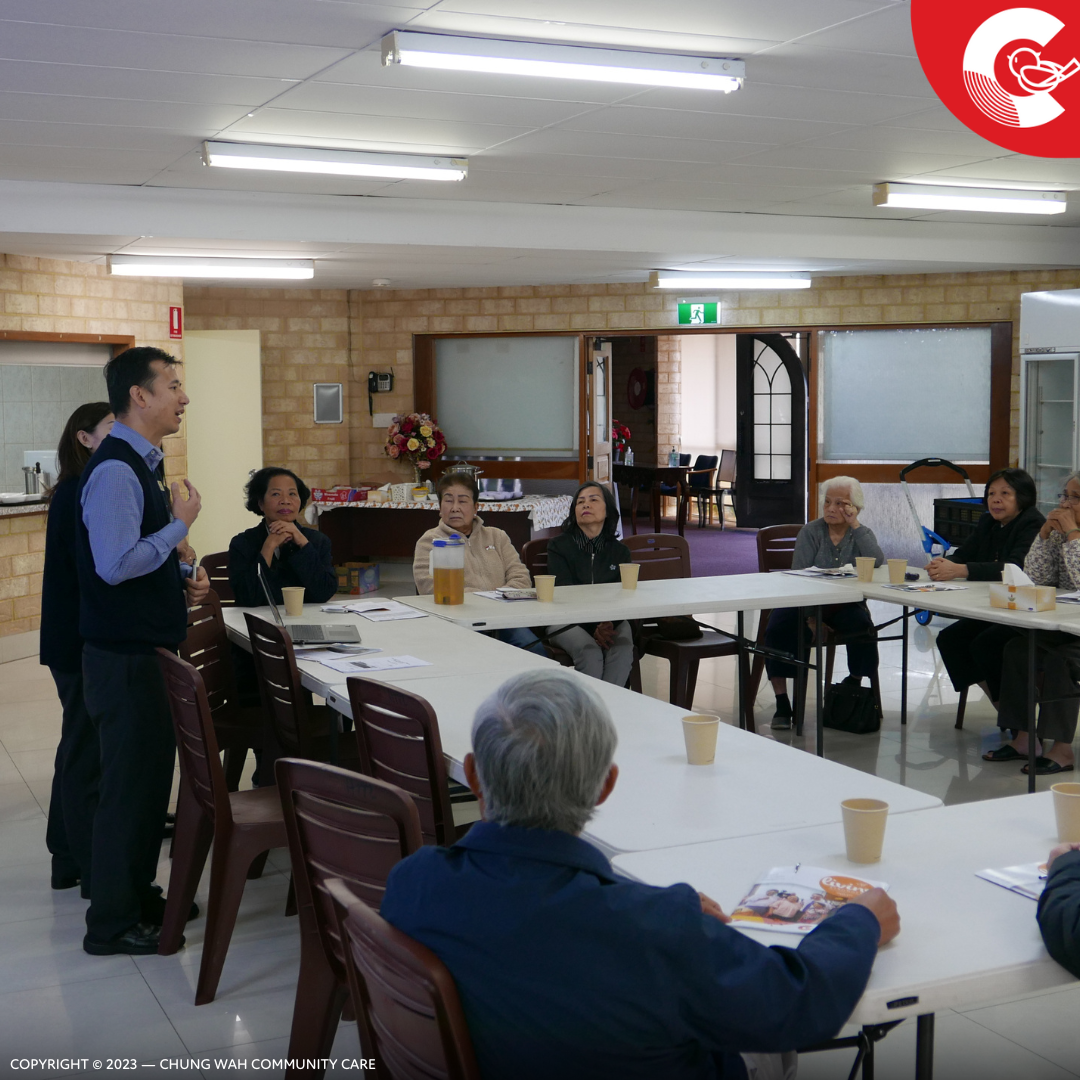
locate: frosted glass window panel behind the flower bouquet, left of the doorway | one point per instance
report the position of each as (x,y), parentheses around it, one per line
(516,396)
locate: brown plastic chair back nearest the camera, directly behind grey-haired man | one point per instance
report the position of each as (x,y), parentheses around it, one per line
(409,1012)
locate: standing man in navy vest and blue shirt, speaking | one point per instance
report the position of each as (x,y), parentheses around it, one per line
(134,593)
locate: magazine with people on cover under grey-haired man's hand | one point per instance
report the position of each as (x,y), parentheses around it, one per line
(793,900)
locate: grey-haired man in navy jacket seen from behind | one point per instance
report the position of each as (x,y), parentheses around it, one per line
(568,969)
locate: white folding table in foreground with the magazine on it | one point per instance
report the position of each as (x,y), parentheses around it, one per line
(964,941)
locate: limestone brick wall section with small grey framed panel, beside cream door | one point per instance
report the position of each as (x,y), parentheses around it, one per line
(305,340)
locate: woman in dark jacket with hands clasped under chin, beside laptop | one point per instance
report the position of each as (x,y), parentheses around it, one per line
(291,555)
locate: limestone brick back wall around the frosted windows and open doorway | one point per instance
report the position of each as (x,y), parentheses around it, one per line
(384,323)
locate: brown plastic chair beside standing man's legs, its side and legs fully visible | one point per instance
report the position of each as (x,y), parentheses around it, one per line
(242,826)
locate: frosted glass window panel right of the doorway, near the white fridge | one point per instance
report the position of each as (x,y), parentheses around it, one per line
(900,396)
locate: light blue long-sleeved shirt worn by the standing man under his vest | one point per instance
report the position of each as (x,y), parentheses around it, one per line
(113,514)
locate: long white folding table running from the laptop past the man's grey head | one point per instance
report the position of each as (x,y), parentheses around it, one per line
(660,801)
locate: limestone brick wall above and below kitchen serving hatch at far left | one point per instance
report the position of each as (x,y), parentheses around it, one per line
(55,296)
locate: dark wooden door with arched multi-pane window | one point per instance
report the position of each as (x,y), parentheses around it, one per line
(772,455)
